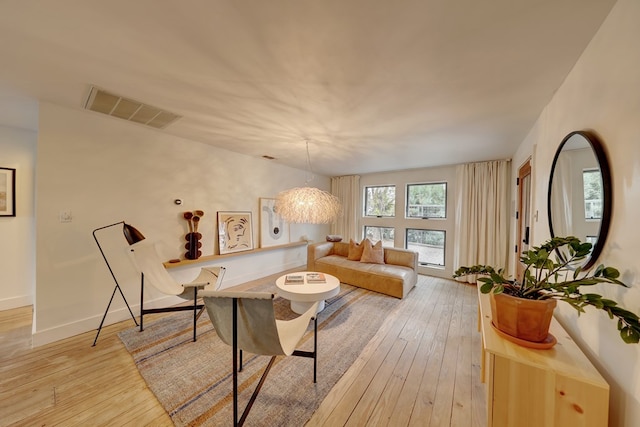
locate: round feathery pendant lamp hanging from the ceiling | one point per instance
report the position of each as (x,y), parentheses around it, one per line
(307,205)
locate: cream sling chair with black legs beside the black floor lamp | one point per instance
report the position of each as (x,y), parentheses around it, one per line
(152,269)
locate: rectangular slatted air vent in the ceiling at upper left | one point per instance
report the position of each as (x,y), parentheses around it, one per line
(104,102)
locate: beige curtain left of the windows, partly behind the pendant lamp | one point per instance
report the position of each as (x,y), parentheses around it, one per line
(347,189)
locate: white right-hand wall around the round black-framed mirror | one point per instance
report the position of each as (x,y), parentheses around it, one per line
(602,93)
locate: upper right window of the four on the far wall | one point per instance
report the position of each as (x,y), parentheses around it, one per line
(427,200)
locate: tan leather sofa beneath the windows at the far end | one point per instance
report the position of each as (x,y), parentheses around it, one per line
(396,277)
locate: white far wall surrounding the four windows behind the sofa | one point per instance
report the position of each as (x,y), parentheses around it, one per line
(415,176)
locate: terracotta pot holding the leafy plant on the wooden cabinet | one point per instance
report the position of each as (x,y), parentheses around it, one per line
(522,318)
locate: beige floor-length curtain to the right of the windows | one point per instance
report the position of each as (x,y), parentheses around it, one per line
(482,214)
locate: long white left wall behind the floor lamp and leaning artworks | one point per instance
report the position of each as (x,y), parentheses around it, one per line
(106,170)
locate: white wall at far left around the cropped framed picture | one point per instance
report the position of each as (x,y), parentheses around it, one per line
(17,235)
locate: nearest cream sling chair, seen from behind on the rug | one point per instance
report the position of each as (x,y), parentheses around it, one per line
(246,321)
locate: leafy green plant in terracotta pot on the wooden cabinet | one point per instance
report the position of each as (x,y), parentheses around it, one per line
(552,273)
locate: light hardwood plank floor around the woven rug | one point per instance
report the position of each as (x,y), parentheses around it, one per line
(421,369)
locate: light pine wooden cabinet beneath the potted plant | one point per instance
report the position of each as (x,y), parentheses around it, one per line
(539,388)
